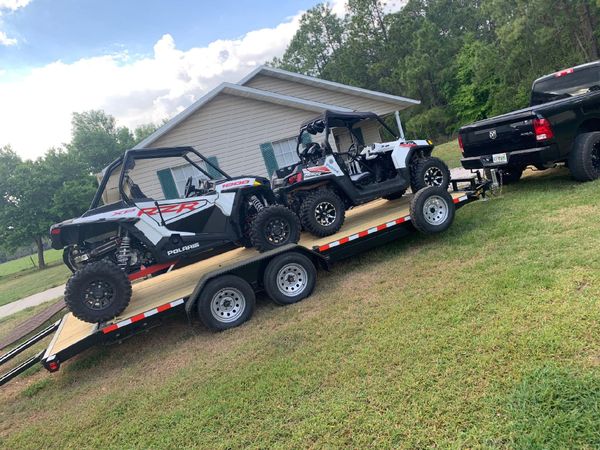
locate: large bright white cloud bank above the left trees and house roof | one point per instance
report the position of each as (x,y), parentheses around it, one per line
(35,112)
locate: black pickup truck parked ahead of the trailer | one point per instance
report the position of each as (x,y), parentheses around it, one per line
(562,125)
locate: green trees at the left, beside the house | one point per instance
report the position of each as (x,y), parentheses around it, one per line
(34,194)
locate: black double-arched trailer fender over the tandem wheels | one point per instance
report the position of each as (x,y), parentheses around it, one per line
(251,270)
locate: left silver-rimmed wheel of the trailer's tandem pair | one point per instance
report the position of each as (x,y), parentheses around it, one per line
(225,302)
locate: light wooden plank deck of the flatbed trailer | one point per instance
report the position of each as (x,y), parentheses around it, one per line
(152,294)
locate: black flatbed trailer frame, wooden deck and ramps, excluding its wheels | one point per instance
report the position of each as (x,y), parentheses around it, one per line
(366,227)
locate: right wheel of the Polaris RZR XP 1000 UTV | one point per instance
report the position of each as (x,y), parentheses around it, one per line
(273,227)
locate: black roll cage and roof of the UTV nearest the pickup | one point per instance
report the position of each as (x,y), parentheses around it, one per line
(336,119)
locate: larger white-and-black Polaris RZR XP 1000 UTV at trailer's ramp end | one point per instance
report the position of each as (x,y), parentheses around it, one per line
(139,234)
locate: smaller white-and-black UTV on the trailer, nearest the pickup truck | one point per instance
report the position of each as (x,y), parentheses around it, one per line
(324,183)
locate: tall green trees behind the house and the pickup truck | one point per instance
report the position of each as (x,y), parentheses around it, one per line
(464,59)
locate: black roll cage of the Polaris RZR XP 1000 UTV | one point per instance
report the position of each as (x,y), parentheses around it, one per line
(127,162)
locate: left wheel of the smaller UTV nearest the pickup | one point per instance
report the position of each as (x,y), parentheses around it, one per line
(322,212)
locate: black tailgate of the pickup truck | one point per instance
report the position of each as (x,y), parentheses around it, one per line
(499,134)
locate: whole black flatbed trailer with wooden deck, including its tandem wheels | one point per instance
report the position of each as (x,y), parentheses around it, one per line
(186,289)
